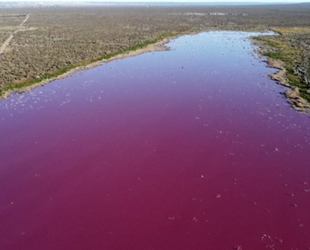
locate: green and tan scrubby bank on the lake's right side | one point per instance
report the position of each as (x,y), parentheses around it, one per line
(289,53)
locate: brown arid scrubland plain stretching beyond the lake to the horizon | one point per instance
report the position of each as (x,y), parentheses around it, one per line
(56,39)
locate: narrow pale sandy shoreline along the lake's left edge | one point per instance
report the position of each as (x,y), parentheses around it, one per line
(158,46)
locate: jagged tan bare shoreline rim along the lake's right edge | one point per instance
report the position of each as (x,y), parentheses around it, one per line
(292,94)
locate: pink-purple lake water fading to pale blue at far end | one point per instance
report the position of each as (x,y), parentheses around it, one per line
(193,148)
